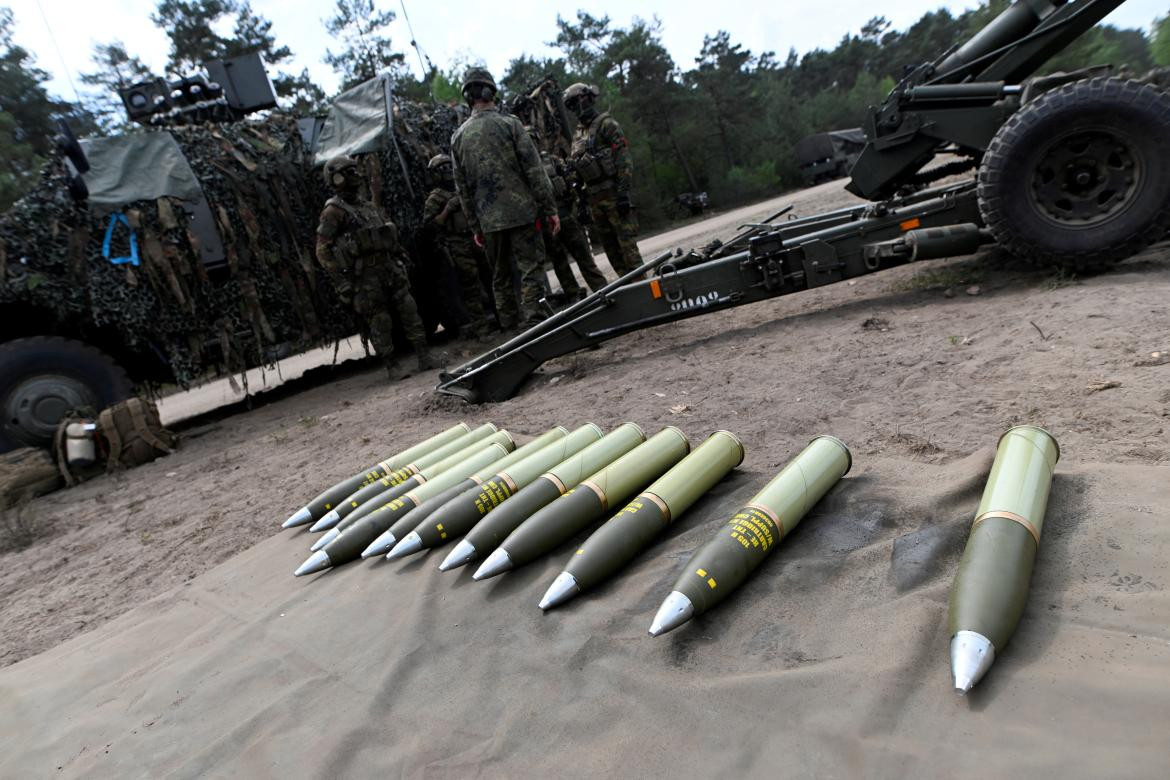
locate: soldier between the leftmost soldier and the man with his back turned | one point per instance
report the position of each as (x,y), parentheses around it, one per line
(444,215)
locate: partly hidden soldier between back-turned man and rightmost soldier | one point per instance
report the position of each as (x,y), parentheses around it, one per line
(567,189)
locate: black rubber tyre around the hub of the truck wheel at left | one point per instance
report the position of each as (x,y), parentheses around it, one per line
(24,357)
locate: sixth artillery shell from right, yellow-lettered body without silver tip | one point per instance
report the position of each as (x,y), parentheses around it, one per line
(460,515)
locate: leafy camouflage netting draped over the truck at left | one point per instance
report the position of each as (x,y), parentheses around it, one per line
(265,196)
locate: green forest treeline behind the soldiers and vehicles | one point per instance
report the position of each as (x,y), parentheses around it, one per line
(725,125)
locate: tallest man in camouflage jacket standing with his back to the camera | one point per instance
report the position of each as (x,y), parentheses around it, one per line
(506,197)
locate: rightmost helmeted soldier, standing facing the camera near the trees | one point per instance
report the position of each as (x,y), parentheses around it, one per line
(601,154)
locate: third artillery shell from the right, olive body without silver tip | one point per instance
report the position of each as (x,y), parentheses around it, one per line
(627,534)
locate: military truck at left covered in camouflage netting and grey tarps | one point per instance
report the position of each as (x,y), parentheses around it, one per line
(185,251)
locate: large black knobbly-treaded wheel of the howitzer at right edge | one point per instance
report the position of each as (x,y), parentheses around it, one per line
(1080,177)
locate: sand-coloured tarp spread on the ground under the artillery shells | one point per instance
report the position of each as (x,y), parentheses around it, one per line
(832,664)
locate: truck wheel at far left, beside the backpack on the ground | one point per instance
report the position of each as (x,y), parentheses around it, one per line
(43,378)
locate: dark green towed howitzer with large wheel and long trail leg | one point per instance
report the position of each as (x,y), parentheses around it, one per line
(1071,170)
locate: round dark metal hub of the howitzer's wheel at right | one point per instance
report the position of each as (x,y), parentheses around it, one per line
(1086,178)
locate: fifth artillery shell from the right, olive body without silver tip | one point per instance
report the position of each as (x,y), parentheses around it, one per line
(492,530)
